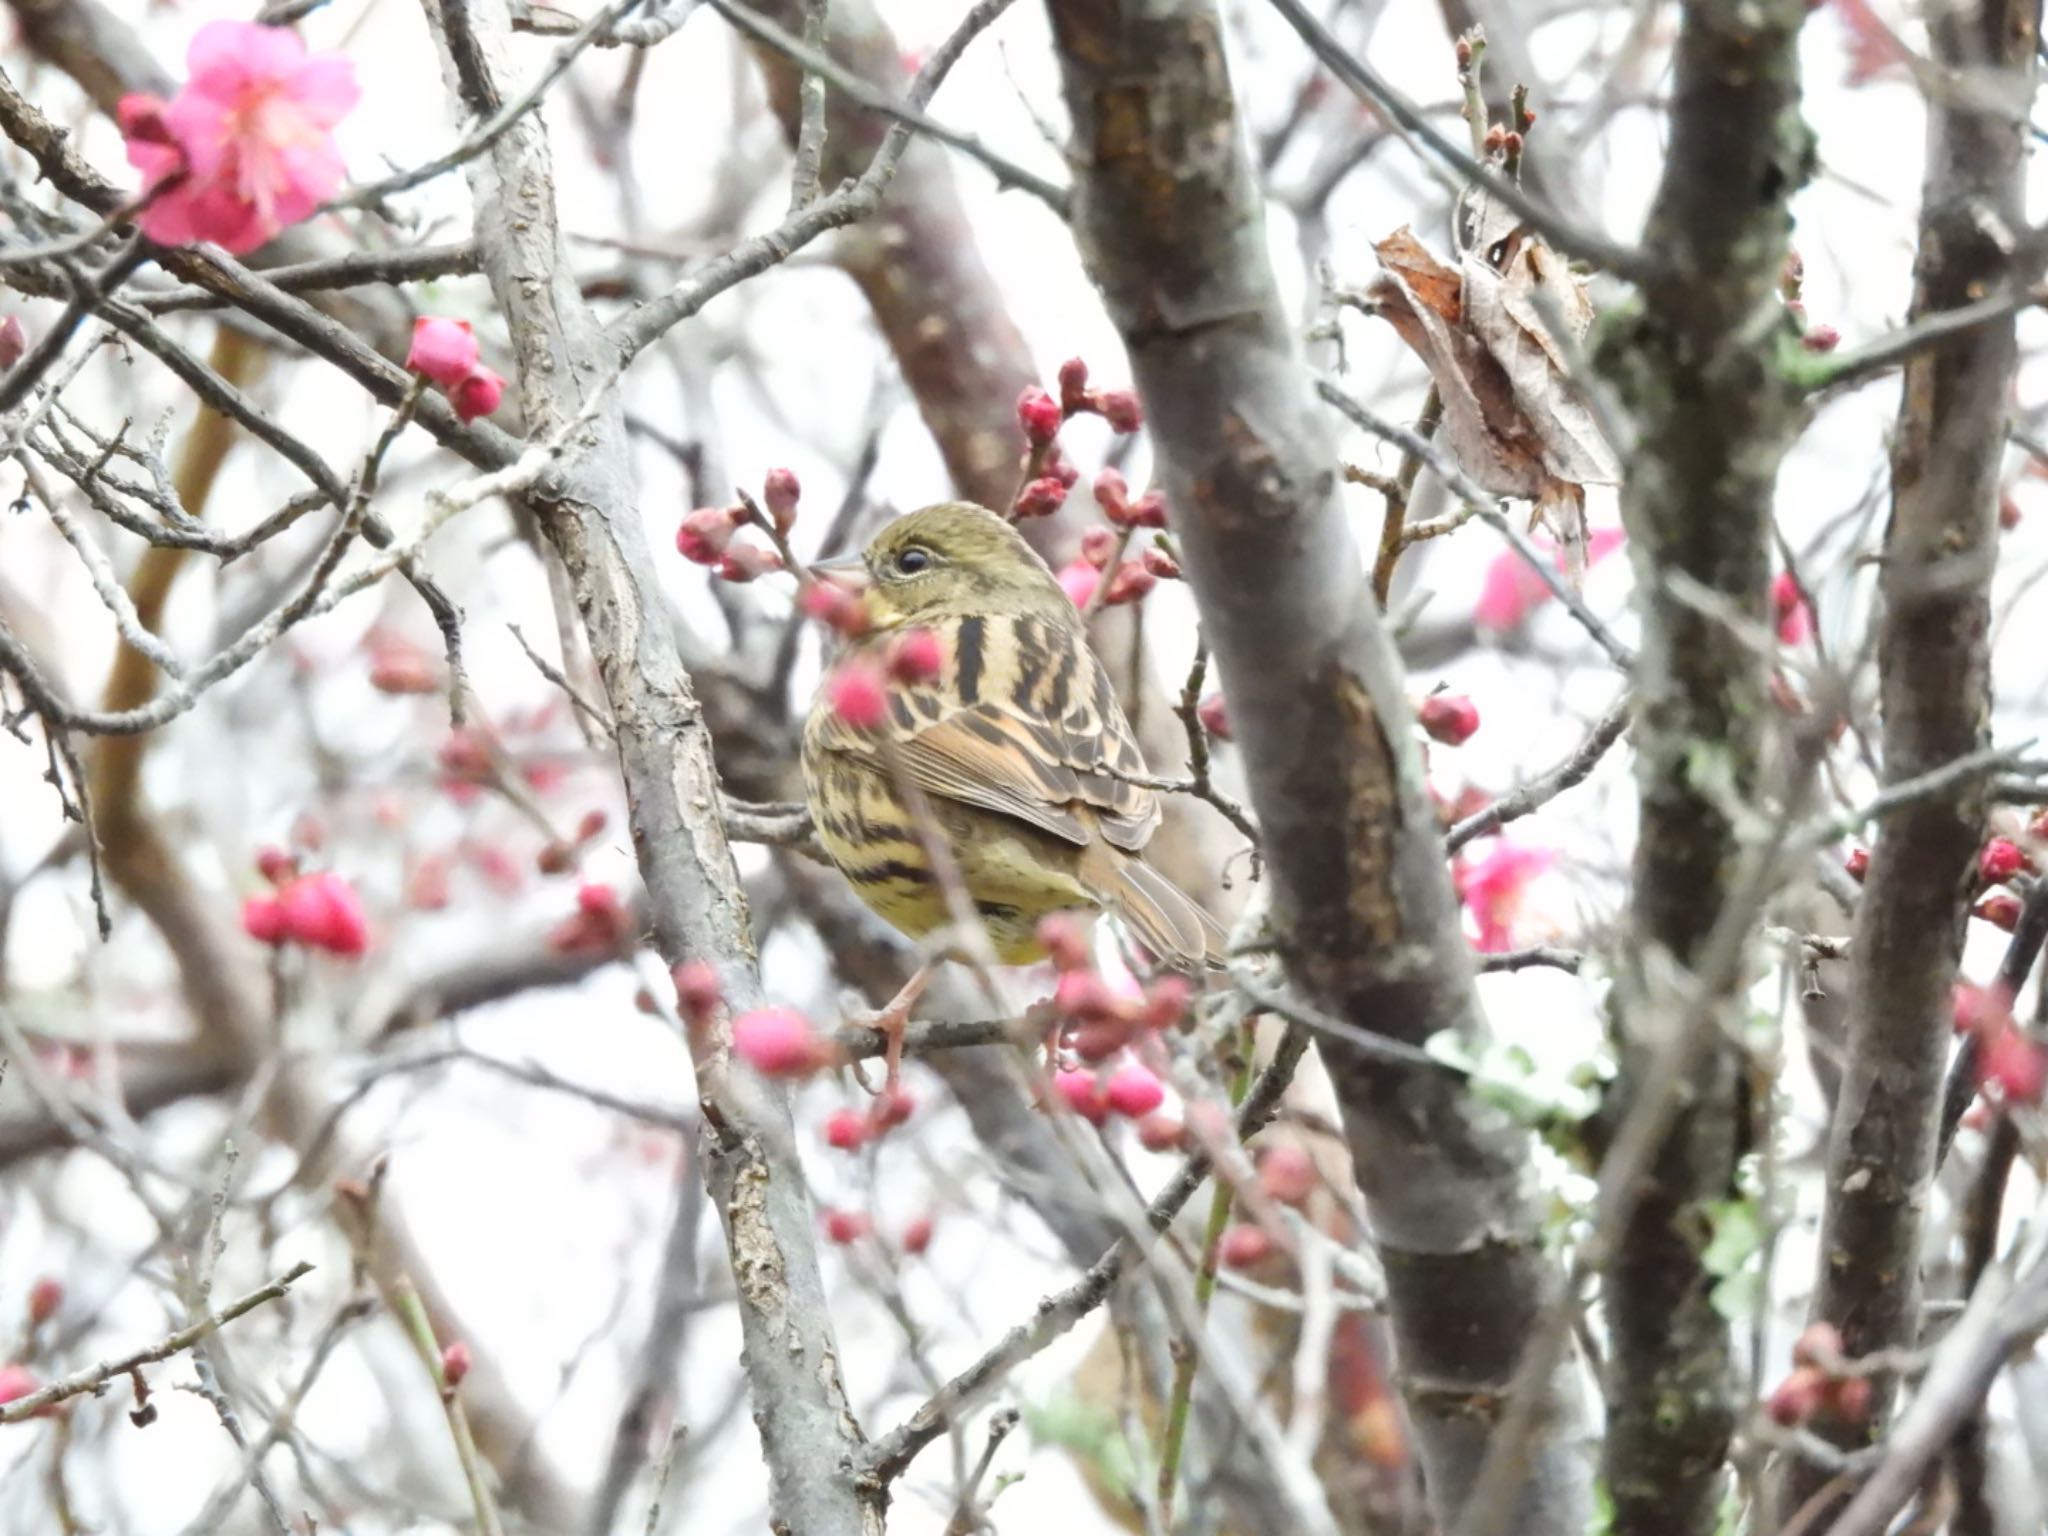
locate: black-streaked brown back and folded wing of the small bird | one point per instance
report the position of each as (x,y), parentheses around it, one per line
(1021,722)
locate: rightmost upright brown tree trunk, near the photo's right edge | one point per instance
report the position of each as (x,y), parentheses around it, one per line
(1934,685)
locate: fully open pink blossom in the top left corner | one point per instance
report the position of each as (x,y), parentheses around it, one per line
(247,148)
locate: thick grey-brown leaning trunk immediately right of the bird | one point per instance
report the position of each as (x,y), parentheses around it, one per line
(1170,226)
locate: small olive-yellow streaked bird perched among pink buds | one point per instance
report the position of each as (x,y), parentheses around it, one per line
(1013,740)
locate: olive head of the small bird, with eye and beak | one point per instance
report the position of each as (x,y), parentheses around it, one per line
(953,560)
